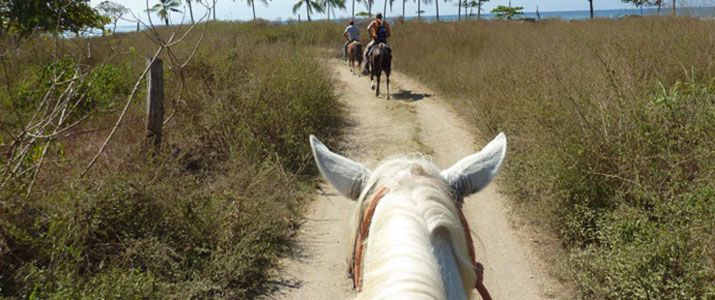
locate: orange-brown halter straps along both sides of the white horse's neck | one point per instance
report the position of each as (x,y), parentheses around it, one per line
(364,231)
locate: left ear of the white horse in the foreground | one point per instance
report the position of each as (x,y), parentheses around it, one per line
(347,176)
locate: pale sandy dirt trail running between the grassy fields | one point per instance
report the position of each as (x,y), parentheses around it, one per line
(415,120)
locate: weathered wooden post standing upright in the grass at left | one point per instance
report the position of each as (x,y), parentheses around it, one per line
(154,103)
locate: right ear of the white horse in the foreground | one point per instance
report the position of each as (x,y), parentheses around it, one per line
(474,172)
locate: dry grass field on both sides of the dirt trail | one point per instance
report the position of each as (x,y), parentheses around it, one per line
(611,143)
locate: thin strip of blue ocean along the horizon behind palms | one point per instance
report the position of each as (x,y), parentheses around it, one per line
(703,12)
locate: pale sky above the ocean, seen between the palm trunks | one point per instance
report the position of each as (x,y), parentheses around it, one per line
(283,9)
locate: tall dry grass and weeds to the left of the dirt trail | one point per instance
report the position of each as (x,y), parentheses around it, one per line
(201,219)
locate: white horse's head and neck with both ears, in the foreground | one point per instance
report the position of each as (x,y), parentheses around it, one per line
(417,246)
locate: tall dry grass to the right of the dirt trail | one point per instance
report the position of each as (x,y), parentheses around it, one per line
(612,138)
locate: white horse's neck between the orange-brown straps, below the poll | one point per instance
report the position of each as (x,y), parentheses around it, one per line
(409,252)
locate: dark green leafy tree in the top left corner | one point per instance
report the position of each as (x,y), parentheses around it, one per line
(25,17)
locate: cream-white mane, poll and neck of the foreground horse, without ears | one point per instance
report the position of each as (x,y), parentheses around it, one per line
(398,260)
